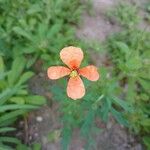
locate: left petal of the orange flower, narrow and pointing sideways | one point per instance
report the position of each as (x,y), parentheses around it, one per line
(56,72)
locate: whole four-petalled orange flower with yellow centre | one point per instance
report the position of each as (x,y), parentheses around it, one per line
(72,57)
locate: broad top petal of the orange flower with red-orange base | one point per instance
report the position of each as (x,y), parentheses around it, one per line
(71,56)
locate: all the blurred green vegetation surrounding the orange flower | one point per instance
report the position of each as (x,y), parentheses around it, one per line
(32,30)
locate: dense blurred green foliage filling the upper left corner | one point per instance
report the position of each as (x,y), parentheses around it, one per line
(38,28)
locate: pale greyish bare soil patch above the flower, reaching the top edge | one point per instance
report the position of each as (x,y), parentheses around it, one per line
(97,26)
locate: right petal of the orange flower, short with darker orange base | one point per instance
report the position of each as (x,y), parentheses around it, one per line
(89,72)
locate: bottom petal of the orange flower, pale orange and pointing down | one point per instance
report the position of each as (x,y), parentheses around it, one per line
(75,88)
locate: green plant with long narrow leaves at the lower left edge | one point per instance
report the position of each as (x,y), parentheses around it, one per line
(15,101)
